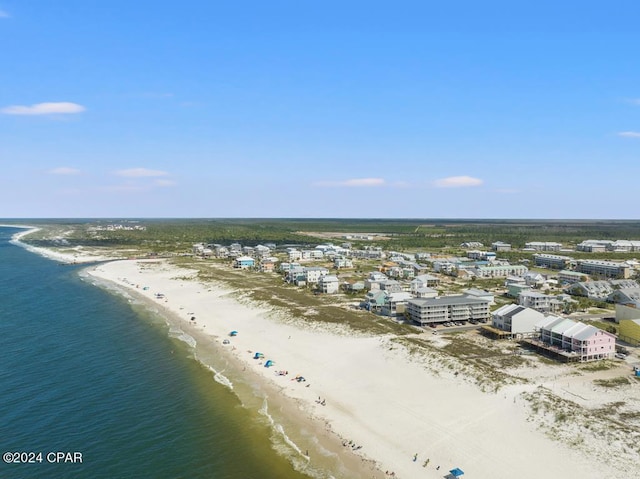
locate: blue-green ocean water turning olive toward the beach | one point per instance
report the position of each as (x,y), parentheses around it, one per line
(84,370)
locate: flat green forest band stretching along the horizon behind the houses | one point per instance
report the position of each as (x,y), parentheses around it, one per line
(398,234)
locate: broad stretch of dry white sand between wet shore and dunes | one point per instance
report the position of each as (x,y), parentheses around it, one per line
(376,395)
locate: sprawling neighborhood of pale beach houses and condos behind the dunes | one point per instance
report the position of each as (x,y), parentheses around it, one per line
(475,289)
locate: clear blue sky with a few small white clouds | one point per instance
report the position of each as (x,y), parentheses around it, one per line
(405,109)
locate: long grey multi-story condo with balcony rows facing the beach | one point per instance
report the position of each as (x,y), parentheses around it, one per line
(447,308)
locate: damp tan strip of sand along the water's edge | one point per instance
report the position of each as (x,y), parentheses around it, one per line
(289,416)
